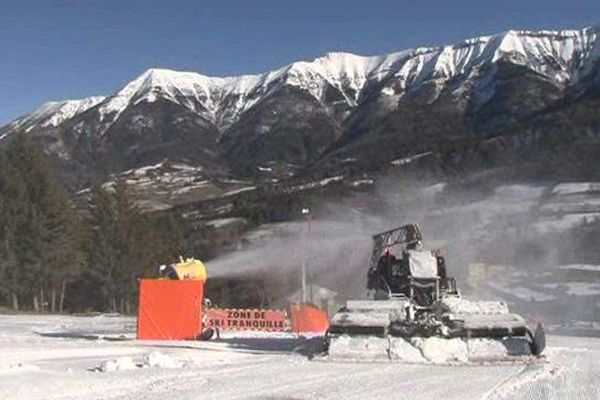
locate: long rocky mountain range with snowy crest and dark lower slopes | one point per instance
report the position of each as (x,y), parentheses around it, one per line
(518,98)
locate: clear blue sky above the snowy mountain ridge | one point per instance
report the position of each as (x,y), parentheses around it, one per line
(52,50)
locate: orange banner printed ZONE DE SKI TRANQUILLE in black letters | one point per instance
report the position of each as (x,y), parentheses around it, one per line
(256,320)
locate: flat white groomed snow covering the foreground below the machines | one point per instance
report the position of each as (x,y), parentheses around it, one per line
(262,366)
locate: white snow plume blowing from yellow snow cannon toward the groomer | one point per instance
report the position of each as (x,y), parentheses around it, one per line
(336,249)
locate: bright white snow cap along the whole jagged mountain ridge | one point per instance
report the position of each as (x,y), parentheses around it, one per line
(364,67)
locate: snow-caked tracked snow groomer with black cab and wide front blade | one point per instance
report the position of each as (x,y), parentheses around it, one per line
(415,313)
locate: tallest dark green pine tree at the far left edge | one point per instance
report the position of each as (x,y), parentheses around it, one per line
(40,246)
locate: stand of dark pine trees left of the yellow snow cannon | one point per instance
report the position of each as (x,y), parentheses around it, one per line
(60,252)
